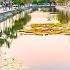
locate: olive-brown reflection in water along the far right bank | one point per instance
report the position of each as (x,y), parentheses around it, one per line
(62,16)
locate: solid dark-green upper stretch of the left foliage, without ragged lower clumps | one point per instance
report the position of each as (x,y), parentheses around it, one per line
(18,24)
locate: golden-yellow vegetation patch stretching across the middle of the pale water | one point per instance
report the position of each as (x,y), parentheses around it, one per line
(49,29)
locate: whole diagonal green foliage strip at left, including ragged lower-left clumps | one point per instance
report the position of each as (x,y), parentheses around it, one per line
(11,33)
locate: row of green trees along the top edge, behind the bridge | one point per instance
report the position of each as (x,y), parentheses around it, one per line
(20,2)
